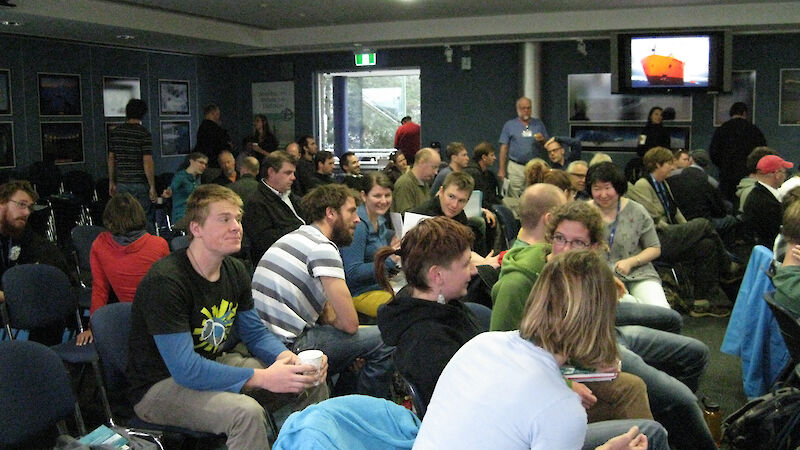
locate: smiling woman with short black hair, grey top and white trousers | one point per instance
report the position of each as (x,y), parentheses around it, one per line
(630,233)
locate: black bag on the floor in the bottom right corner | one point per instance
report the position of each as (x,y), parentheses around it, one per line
(768,422)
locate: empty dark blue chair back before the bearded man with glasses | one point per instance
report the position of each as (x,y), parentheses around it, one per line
(37,295)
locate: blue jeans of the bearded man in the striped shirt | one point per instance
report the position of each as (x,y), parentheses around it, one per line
(342,349)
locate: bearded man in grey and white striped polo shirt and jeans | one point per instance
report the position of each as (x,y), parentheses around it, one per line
(300,292)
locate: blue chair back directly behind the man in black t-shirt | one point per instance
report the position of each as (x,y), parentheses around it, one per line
(111,327)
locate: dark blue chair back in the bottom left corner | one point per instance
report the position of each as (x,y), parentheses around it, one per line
(35,392)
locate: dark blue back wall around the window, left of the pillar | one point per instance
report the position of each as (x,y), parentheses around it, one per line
(467,106)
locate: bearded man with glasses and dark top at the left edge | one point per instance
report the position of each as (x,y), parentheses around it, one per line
(21,245)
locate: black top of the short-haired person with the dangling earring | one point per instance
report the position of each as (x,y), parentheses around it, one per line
(426,335)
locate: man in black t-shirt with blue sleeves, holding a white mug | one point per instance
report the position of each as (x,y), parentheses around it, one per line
(183,314)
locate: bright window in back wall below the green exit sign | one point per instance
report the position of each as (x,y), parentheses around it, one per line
(375,102)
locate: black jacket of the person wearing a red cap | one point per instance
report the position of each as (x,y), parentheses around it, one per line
(763,215)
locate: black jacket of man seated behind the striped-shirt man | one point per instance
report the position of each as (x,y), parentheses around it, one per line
(266,219)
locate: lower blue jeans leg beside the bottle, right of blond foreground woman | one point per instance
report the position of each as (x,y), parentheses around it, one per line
(656,357)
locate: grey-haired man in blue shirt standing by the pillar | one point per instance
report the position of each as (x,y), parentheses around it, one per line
(517,141)
